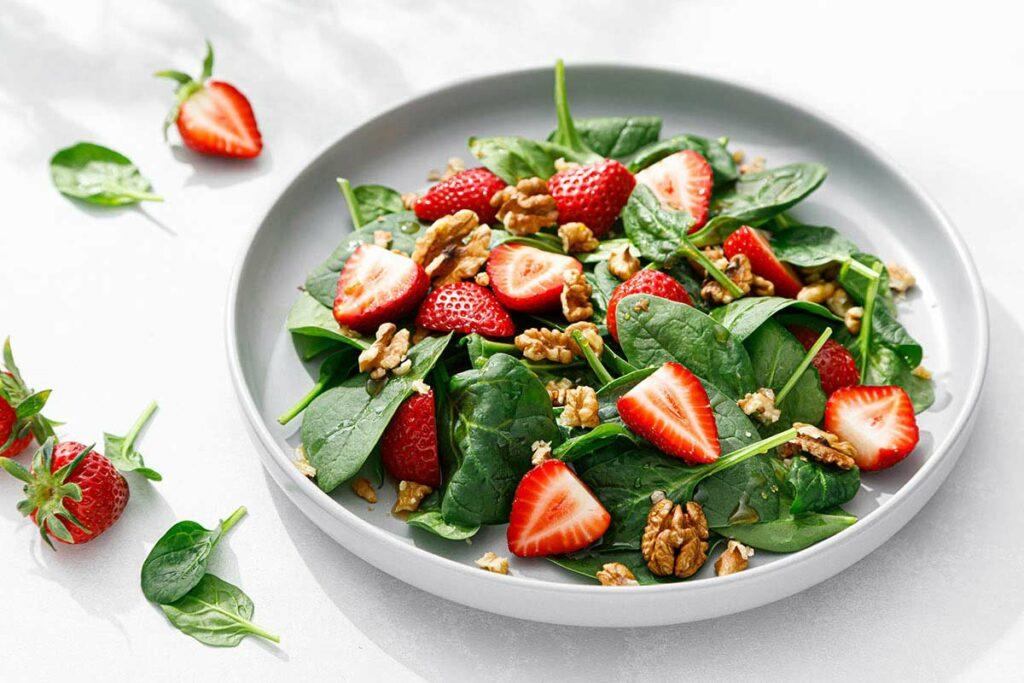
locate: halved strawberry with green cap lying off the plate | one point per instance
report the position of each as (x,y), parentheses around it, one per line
(214,117)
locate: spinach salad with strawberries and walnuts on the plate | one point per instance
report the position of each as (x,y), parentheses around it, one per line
(626,347)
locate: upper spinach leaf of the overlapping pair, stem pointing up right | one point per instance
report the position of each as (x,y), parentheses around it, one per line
(181,558)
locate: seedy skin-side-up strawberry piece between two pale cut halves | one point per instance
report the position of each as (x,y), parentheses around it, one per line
(465,308)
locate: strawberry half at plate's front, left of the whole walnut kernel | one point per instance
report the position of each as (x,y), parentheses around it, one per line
(554,514)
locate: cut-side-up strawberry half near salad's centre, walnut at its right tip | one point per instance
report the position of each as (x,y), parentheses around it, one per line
(528,279)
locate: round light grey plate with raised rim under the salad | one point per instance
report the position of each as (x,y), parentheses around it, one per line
(866,197)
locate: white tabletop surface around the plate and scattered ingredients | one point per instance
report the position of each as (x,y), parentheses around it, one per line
(113,309)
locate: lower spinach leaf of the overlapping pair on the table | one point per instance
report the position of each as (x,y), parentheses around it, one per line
(217,614)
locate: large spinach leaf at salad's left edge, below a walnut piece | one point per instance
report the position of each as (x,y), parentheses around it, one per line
(343,426)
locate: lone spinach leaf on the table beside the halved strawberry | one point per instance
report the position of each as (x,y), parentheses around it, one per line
(100,176)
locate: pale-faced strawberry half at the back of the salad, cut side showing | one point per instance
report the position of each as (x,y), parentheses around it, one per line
(681,182)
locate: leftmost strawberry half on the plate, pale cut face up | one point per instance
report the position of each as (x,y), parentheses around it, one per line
(377,286)
